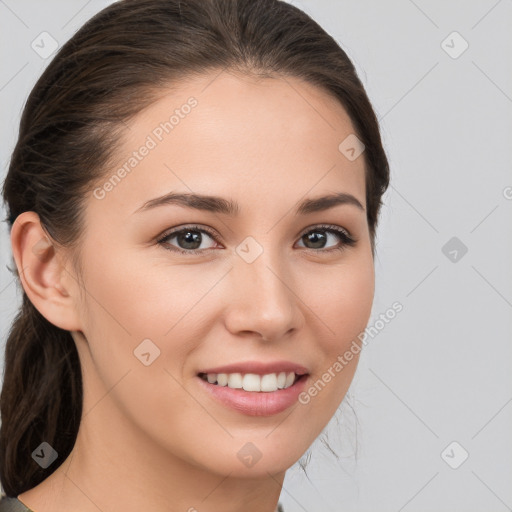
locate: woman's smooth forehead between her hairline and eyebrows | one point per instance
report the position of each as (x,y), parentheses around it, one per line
(236,136)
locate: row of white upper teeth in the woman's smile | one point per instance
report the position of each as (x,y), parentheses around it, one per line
(253,382)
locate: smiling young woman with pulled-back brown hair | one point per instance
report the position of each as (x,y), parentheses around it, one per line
(193,201)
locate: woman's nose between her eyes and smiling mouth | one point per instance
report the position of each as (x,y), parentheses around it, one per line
(263,299)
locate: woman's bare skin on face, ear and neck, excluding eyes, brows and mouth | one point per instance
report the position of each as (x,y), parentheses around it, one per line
(150,437)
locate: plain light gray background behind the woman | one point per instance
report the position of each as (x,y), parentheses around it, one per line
(440,371)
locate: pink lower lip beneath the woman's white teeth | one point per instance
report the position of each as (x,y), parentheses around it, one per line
(254,403)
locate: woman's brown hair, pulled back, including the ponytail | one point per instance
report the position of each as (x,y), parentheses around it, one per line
(111,69)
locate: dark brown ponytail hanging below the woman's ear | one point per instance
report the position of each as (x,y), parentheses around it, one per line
(41,398)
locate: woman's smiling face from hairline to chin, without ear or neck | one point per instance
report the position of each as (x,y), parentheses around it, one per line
(265,284)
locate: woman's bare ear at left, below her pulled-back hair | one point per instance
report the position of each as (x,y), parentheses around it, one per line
(51,287)
